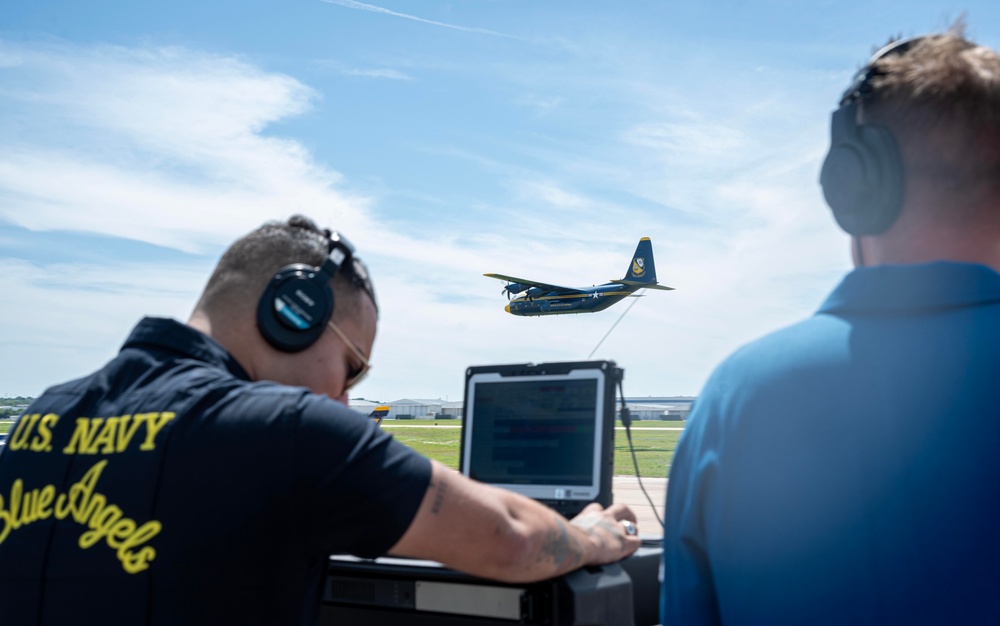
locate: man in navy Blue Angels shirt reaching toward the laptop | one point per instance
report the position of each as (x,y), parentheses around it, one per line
(204,475)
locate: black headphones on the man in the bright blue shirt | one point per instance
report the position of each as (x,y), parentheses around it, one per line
(862,175)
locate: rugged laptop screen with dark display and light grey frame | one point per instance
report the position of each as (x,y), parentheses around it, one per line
(545,431)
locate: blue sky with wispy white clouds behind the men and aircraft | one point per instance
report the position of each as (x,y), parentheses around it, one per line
(445,139)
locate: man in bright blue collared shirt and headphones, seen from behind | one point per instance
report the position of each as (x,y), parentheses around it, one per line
(845,470)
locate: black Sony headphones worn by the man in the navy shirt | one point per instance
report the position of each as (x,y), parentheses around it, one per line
(298,302)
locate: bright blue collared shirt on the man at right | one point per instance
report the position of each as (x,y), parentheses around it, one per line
(846,470)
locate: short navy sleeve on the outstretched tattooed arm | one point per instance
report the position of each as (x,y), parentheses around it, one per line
(365,487)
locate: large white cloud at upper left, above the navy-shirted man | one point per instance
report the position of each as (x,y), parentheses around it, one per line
(163,145)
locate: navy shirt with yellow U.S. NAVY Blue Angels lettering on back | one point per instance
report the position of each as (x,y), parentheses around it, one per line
(168,488)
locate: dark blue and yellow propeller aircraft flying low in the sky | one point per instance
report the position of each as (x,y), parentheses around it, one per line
(547,299)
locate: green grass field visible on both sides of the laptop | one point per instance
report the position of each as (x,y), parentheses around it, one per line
(654,443)
